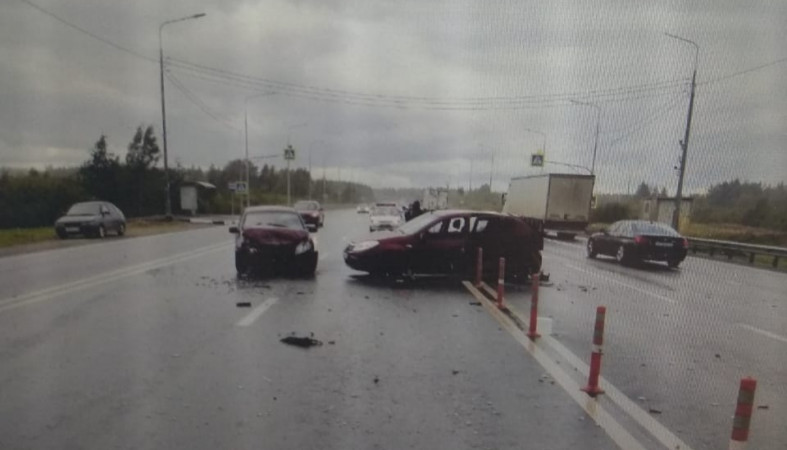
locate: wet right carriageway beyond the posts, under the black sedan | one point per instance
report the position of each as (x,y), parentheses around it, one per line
(680,340)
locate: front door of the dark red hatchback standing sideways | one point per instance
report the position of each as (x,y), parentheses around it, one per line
(442,247)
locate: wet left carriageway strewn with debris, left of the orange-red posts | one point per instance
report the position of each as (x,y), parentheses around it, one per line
(153,352)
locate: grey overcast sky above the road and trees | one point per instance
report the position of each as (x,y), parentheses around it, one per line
(406,93)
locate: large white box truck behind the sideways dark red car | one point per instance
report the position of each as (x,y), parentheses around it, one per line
(554,203)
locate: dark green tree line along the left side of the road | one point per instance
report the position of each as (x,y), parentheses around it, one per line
(137,185)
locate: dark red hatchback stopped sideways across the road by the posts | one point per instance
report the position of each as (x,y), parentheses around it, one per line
(446,242)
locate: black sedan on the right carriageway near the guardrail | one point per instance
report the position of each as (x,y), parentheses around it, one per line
(632,241)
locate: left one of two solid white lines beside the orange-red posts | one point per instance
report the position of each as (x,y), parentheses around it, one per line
(590,405)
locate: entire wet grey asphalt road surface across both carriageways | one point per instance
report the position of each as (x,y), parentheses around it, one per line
(138,343)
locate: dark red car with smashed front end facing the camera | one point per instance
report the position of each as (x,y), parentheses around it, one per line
(269,238)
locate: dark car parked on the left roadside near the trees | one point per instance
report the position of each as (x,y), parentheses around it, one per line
(92,219)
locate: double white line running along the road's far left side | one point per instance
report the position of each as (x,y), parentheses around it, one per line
(56,291)
